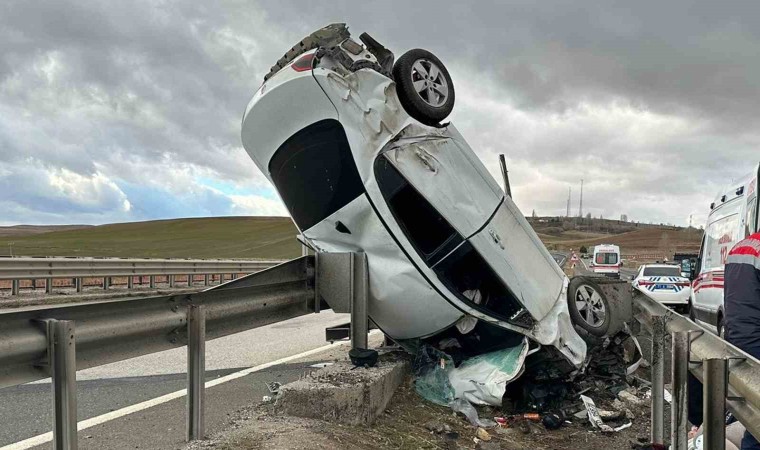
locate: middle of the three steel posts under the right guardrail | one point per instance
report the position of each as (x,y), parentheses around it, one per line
(679,414)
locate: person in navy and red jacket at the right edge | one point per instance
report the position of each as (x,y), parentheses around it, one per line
(742,305)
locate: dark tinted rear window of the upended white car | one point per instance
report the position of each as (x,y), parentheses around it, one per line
(315,173)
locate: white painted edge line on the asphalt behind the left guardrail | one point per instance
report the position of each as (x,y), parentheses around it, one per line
(93,421)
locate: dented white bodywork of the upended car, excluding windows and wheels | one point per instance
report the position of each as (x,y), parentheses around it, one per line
(407,299)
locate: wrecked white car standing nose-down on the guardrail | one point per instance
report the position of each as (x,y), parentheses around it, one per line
(354,146)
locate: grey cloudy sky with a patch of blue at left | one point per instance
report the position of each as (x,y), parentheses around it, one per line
(123,111)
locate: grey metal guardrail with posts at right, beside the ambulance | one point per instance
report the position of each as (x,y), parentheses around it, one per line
(731,377)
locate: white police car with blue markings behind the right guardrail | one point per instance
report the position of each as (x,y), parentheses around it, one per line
(665,284)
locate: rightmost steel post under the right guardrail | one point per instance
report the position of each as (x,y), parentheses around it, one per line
(715,389)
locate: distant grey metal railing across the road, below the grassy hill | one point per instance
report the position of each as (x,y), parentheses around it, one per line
(134,270)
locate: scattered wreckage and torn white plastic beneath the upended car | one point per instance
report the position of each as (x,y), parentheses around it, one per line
(530,391)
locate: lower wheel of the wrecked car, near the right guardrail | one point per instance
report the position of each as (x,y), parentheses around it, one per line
(588,306)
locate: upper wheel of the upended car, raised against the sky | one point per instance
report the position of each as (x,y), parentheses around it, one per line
(424,86)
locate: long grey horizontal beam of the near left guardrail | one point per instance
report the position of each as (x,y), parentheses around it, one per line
(119,329)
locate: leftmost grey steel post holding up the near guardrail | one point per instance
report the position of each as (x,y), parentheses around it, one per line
(62,361)
